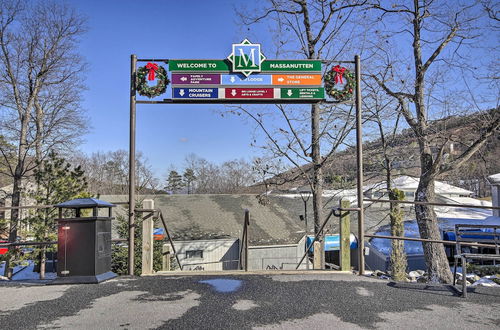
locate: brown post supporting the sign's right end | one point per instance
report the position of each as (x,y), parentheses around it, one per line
(359,158)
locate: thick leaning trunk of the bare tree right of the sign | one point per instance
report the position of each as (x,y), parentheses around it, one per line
(435,257)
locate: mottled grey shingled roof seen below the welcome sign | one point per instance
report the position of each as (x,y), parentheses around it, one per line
(197,217)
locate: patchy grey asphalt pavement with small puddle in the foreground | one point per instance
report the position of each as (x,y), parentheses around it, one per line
(265,301)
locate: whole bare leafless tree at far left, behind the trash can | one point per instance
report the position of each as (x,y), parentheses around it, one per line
(38,55)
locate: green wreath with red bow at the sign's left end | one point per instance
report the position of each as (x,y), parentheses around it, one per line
(161,77)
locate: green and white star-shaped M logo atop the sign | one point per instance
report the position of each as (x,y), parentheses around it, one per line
(246,57)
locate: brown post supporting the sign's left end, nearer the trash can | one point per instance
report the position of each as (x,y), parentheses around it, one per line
(131,167)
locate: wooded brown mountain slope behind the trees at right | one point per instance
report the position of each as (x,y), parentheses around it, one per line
(460,131)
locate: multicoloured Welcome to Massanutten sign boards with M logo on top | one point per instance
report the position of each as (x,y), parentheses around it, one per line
(246,74)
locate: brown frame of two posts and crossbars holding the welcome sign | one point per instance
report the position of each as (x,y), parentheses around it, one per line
(132,147)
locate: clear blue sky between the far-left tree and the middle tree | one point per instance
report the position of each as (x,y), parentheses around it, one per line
(159,29)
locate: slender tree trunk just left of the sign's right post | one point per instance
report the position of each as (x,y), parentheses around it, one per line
(317,192)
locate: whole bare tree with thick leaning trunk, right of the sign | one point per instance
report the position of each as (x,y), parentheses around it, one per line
(426,50)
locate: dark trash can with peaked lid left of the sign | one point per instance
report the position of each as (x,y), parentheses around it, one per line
(83,242)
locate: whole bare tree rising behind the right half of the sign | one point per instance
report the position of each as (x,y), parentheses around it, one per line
(306,29)
